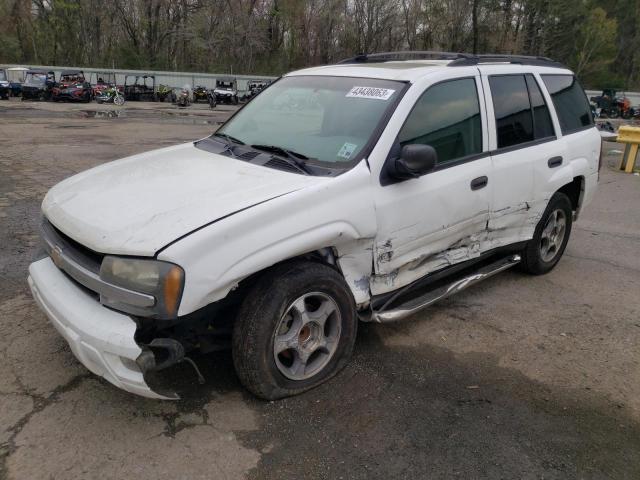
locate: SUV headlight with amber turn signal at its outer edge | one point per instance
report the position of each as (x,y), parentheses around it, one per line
(162,280)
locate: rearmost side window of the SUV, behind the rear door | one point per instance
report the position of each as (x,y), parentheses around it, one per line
(570,102)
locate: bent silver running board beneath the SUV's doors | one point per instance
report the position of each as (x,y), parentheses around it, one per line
(416,304)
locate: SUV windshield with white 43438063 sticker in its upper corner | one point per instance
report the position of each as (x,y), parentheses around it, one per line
(329,119)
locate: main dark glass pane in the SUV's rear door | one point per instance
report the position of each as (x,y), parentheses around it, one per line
(512,109)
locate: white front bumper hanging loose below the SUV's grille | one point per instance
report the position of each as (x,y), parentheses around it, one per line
(100,338)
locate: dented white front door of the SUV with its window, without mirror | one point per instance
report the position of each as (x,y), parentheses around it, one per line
(439,219)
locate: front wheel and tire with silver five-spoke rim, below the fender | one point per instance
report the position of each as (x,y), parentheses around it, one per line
(270,306)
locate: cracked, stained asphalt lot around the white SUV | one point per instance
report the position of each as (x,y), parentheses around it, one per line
(517,377)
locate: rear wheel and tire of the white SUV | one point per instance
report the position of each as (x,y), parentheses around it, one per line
(545,249)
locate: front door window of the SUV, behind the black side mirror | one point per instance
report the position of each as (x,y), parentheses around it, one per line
(447,117)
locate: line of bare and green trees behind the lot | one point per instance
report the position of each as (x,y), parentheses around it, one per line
(597,39)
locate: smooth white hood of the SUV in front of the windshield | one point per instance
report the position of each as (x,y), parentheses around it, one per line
(137,205)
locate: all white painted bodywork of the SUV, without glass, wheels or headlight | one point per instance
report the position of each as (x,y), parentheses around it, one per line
(223,219)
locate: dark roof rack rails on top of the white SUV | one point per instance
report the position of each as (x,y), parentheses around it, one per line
(457,59)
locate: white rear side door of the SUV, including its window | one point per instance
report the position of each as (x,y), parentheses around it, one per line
(522,140)
